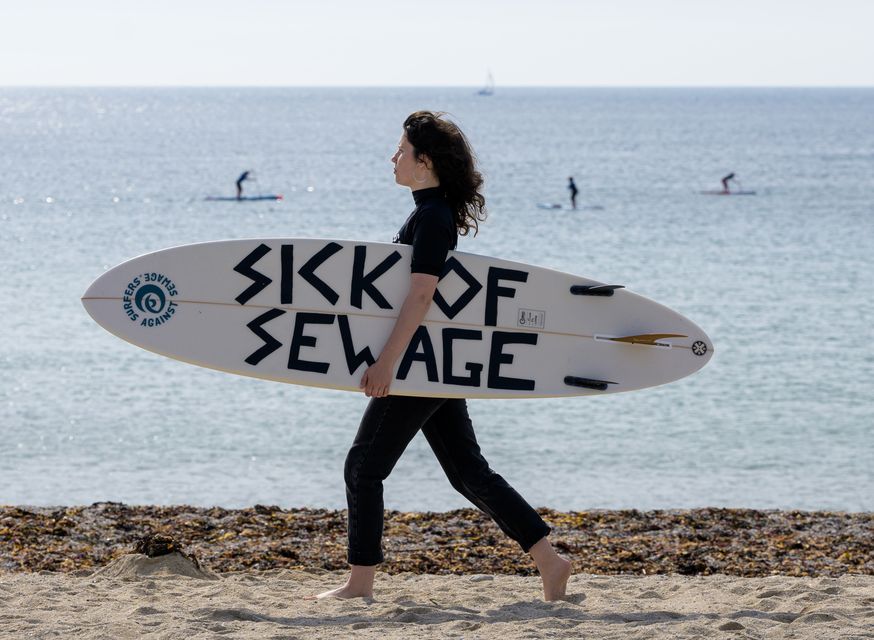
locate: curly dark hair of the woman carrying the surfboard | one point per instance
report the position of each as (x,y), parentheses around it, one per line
(454,163)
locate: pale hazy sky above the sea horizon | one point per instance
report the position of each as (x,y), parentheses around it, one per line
(437,42)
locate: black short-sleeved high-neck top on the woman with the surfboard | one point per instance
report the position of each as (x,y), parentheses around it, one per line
(431,230)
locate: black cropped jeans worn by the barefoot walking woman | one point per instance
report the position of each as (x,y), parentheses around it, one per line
(388,426)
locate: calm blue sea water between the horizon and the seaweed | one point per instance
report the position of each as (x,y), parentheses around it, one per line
(783,282)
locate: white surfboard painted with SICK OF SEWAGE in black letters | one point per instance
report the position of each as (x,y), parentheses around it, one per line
(318,312)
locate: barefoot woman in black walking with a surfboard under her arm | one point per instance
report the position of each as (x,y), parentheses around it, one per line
(435,161)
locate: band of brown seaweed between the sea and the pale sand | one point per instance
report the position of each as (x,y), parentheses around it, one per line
(690,542)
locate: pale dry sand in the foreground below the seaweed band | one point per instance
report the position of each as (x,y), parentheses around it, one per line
(169,597)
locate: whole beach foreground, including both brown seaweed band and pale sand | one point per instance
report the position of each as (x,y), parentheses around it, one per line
(113,571)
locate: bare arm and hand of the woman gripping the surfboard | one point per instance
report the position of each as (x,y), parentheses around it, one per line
(376,381)
